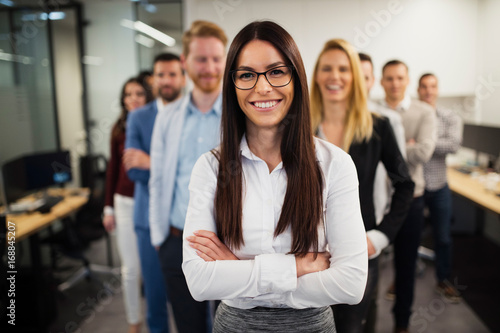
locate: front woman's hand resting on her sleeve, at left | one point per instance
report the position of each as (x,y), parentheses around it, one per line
(209,247)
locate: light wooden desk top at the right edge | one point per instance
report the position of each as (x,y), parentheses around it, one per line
(473,190)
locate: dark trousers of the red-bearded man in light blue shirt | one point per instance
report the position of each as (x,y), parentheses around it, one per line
(190,315)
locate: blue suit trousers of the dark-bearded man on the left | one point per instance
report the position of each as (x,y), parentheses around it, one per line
(154,285)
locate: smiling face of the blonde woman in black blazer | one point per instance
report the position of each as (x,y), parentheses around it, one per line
(334,76)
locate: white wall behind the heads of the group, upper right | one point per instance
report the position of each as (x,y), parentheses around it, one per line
(436,36)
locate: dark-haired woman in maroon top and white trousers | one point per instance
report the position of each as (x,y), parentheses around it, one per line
(119,203)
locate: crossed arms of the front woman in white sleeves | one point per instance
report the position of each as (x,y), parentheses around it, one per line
(214,272)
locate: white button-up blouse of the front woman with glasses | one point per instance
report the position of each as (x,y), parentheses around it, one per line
(266,275)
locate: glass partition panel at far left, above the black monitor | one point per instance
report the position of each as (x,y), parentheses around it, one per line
(28,117)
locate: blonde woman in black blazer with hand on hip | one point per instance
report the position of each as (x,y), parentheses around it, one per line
(340,115)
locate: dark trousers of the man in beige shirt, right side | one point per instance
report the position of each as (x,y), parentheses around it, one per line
(405,259)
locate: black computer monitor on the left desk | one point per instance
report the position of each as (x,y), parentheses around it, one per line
(29,173)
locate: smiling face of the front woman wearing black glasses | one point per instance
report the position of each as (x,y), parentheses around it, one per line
(265,106)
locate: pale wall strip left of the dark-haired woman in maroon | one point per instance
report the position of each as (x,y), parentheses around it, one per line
(113,59)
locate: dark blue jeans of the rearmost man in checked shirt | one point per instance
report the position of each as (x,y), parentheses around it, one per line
(439,204)
